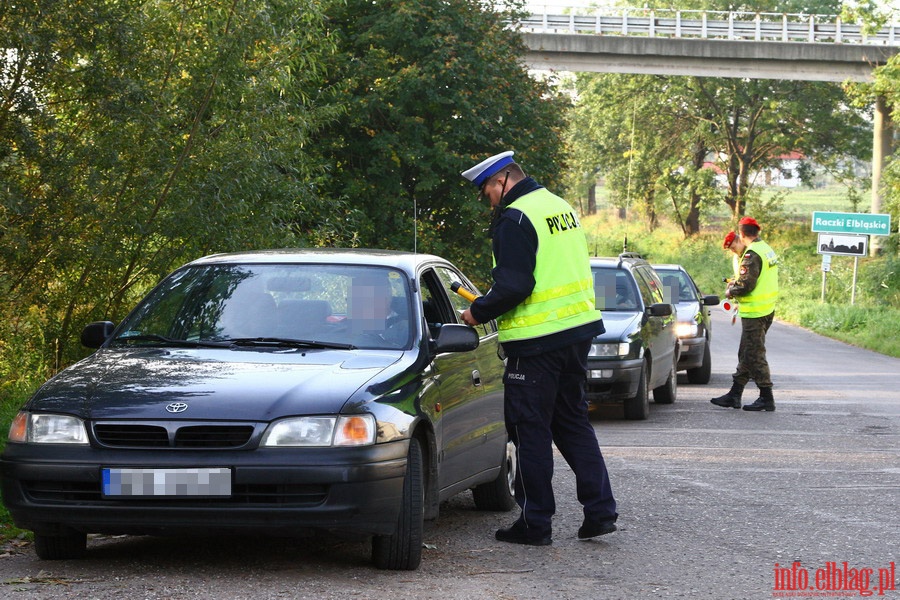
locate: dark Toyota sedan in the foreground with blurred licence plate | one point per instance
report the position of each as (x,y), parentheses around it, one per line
(285,392)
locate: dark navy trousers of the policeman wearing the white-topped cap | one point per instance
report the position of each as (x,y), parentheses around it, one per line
(545,402)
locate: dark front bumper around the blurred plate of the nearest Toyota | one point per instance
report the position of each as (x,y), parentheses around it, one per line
(276,490)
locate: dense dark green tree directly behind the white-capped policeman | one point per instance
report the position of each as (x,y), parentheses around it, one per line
(433,86)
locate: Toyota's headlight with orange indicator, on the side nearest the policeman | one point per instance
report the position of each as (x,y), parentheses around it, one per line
(345,430)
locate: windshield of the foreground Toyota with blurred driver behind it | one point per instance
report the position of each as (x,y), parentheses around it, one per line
(283,305)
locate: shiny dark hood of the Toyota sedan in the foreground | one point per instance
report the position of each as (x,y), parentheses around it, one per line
(215,384)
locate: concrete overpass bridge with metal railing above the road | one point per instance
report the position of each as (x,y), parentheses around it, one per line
(716,44)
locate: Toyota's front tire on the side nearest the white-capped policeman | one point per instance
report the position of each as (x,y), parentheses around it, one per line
(402,550)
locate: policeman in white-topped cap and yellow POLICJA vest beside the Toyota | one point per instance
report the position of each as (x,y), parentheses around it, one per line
(543,300)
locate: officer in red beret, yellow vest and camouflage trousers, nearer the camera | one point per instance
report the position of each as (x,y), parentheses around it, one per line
(756,287)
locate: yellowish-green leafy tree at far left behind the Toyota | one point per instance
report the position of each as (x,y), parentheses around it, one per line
(134,136)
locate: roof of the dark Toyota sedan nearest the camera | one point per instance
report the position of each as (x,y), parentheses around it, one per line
(407,261)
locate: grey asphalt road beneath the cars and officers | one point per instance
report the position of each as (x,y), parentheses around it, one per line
(714,503)
